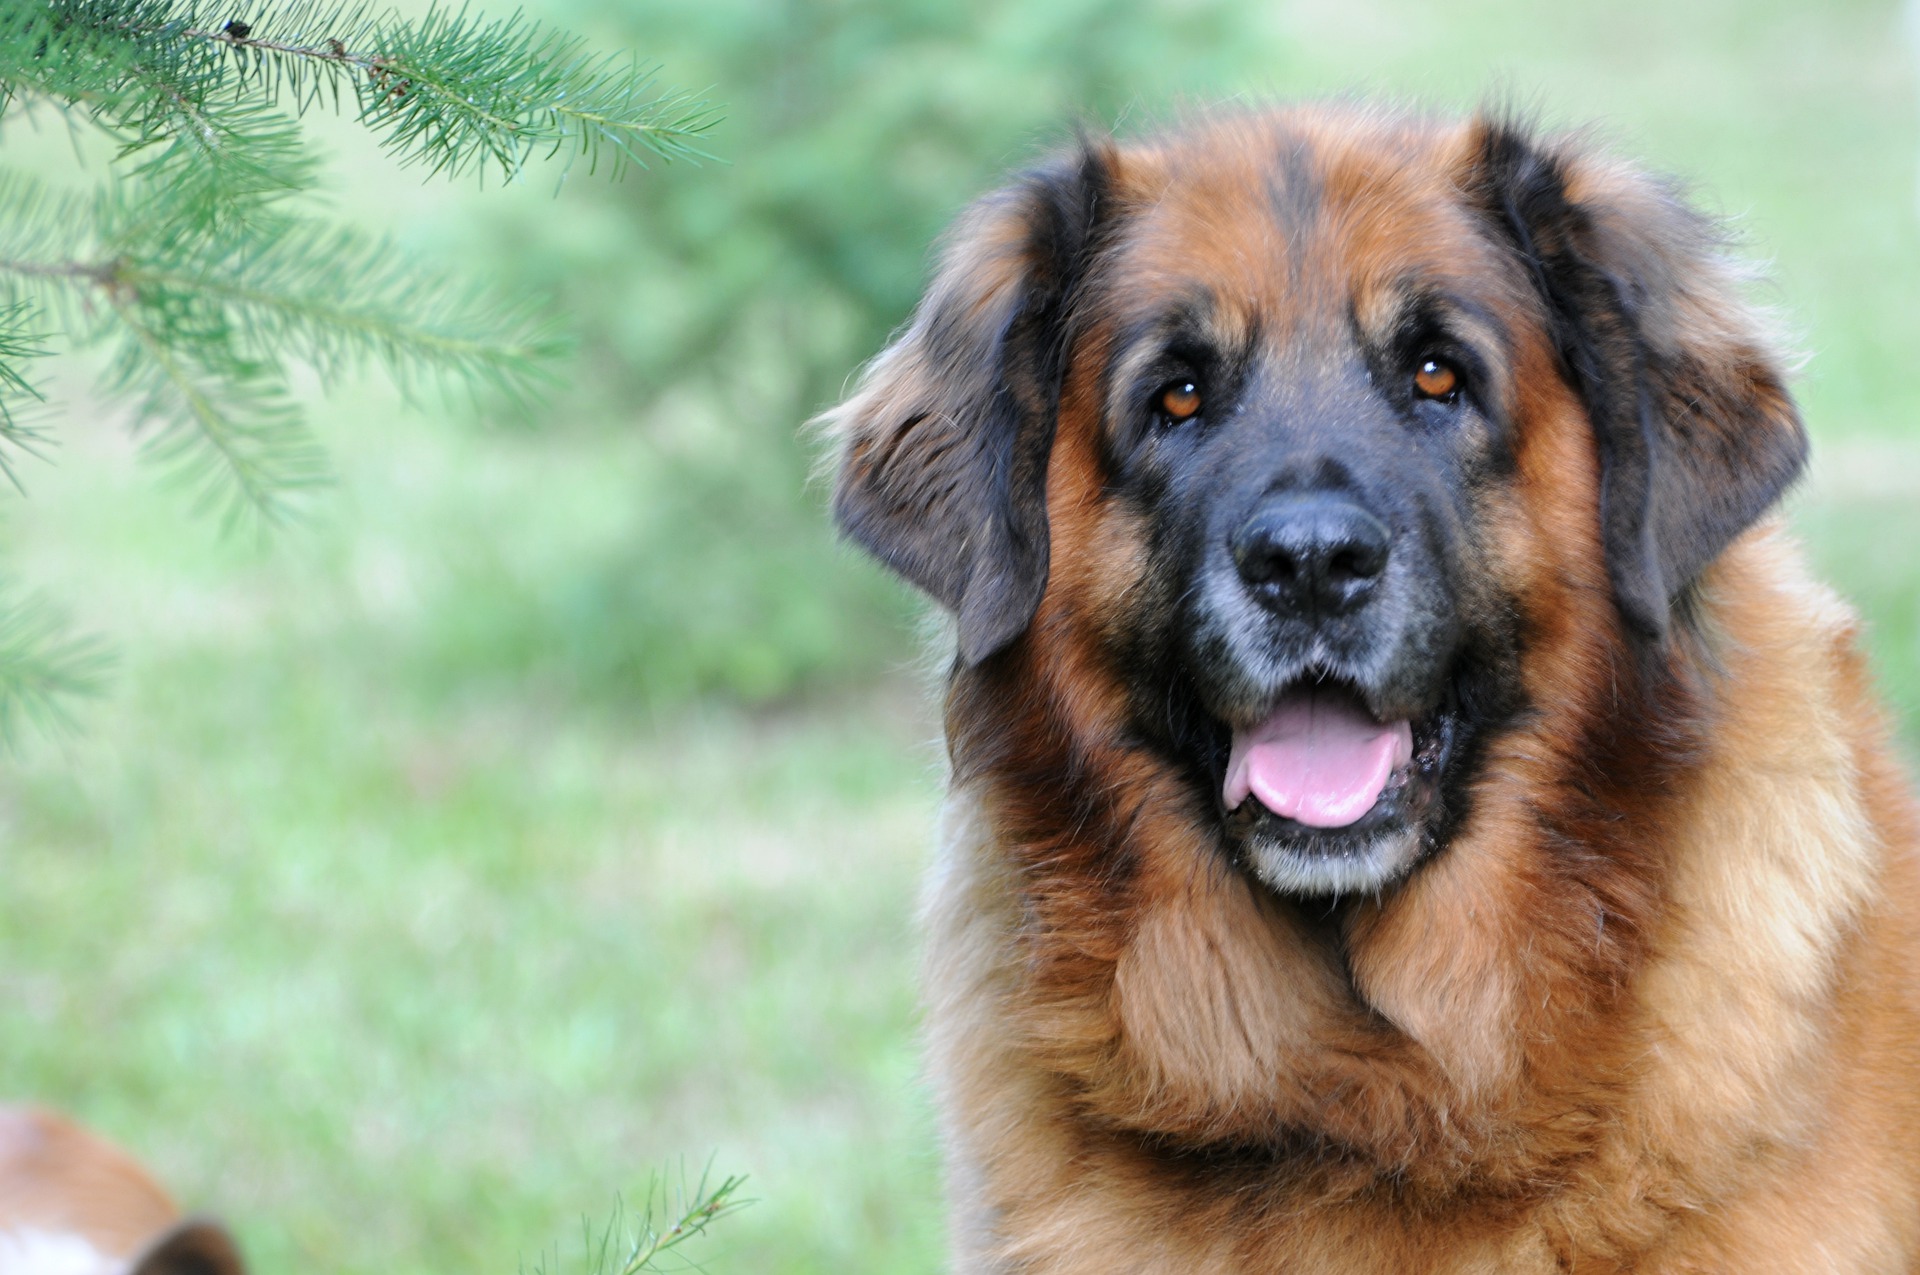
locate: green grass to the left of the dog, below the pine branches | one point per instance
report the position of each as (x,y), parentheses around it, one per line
(406,978)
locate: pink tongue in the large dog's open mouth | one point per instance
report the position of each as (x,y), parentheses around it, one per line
(1320,759)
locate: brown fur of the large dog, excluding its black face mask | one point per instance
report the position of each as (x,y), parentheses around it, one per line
(1656,1001)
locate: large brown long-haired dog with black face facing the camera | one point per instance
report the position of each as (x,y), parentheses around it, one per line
(1410,807)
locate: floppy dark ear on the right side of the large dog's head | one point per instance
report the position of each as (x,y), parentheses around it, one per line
(1691,412)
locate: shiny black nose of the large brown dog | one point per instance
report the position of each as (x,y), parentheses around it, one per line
(1312,552)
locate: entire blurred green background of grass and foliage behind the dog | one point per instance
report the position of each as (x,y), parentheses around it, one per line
(548,807)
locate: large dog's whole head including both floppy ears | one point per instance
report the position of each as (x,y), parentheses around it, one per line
(1257,421)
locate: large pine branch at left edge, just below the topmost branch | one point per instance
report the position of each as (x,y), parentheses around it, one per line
(206,318)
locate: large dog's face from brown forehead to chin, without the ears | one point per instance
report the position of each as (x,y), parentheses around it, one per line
(1305,412)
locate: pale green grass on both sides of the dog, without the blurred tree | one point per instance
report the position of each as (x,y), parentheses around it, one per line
(408,965)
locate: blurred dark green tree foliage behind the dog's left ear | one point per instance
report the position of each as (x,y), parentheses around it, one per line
(725,308)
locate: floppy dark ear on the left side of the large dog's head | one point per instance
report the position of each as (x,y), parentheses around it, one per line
(944,448)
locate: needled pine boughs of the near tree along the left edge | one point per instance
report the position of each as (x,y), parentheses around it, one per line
(199,268)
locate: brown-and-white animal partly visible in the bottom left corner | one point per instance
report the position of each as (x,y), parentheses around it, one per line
(76,1205)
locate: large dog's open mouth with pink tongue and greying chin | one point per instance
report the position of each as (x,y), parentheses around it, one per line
(1322,796)
